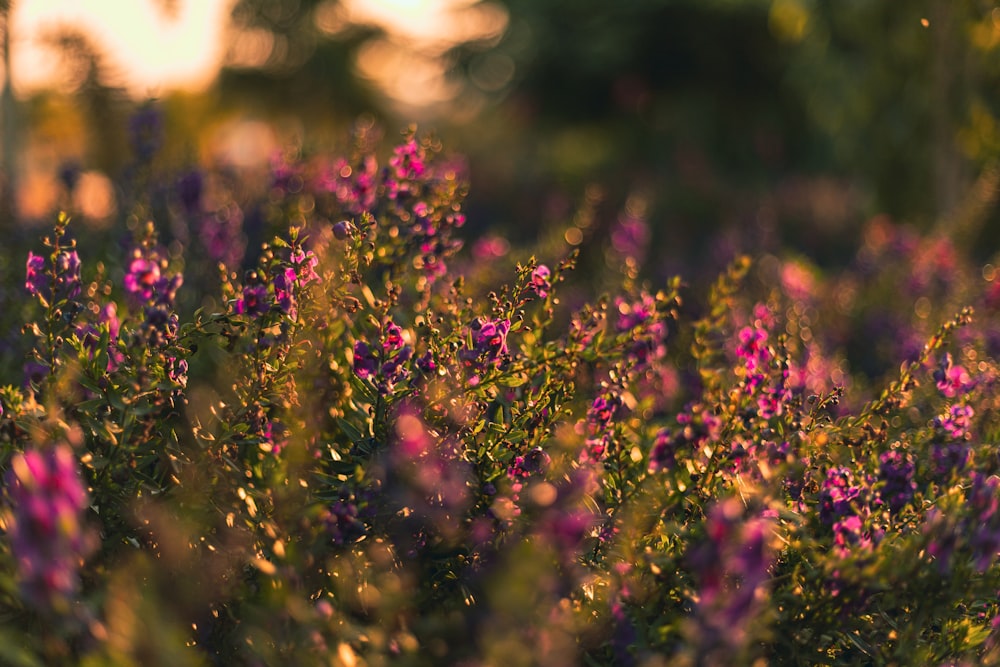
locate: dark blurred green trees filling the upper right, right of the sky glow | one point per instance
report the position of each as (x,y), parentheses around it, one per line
(790,120)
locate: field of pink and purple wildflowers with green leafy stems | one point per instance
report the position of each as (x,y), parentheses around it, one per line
(292,418)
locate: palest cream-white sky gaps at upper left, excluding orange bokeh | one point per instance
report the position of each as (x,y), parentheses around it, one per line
(150,51)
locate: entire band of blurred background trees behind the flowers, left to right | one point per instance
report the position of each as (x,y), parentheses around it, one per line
(750,124)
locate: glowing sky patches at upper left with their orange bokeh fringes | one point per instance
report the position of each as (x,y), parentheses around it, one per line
(148,50)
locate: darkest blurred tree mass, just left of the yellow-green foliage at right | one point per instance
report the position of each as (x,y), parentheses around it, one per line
(684,100)
